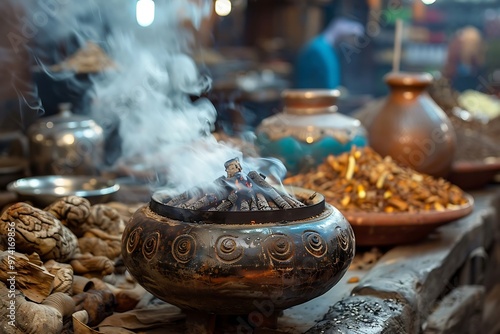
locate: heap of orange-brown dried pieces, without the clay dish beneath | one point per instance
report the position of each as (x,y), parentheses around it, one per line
(362,180)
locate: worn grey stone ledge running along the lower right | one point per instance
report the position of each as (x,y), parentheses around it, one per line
(415,276)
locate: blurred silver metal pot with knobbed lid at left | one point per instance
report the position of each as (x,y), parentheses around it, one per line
(66,144)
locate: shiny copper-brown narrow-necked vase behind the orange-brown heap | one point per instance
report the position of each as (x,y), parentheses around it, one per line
(411,128)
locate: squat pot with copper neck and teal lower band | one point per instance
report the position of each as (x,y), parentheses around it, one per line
(308,130)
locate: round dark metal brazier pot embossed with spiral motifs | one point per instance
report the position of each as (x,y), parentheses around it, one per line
(232,261)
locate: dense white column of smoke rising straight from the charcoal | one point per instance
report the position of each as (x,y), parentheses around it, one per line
(150,96)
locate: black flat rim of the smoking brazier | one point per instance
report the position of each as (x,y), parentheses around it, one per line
(315,205)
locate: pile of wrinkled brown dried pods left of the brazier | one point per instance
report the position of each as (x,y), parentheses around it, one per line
(61,268)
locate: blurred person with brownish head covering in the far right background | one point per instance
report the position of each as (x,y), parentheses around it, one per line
(465,61)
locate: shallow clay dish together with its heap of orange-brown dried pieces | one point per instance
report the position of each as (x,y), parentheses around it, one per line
(385,203)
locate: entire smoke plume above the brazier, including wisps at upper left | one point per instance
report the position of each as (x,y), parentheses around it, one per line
(151,98)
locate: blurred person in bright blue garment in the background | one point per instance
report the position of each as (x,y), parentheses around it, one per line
(318,64)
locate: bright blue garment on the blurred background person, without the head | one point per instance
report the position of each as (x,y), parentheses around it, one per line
(317,65)
